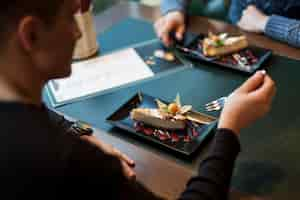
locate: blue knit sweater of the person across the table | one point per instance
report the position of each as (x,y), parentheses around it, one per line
(283,24)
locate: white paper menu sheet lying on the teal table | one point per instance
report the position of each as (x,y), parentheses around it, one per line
(99,74)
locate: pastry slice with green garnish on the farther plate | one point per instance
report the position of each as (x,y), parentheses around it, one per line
(219,45)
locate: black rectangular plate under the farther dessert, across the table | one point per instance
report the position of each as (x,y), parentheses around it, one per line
(261,54)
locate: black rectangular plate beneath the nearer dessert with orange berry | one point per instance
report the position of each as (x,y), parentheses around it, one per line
(121,119)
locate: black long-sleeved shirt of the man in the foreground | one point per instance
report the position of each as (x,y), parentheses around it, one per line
(38,160)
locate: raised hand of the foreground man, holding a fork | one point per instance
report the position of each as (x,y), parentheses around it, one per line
(248,103)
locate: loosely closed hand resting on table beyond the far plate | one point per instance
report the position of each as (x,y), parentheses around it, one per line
(253,20)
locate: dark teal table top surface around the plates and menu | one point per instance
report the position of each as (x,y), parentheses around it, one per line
(269,163)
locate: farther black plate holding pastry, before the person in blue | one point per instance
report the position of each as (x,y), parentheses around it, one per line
(255,56)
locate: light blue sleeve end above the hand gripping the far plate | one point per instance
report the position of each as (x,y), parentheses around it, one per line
(171,5)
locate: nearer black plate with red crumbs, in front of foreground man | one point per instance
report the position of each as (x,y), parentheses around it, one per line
(184,142)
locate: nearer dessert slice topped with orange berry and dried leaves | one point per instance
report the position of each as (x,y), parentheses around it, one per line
(170,122)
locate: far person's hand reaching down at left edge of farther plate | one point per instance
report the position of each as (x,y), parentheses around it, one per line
(173,21)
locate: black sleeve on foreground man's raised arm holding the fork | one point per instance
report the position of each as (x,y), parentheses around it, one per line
(215,172)
